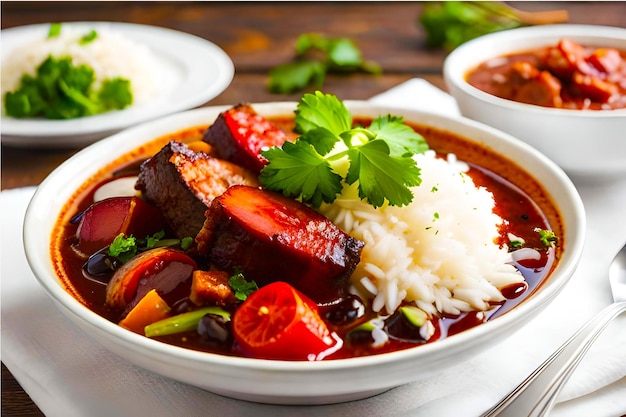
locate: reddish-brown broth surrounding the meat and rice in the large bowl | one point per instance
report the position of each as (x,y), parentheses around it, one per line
(525,210)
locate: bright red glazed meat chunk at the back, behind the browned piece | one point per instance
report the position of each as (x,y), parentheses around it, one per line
(239,134)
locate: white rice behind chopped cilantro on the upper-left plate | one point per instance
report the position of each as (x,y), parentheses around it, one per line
(110,55)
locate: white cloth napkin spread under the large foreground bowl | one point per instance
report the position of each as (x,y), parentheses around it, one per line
(67,374)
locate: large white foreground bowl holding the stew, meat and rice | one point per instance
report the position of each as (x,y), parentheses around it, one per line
(280,381)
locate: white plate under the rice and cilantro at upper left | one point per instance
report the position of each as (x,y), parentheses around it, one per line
(191,71)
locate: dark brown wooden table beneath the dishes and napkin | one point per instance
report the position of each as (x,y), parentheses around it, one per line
(258,36)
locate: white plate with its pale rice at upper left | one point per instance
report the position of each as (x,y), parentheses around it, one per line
(169,71)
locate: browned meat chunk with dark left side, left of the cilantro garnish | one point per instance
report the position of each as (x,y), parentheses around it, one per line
(182,183)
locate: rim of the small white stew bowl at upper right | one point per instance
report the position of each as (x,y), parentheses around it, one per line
(465,57)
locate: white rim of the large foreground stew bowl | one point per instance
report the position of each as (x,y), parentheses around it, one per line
(56,187)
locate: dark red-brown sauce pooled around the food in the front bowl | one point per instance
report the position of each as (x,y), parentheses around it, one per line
(524,210)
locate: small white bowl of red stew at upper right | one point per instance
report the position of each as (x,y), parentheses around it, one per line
(589,145)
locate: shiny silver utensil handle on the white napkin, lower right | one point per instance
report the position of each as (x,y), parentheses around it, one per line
(535,396)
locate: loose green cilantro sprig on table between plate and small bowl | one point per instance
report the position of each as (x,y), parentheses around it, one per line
(317,55)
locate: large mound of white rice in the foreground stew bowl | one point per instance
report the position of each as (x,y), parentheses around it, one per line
(439,252)
